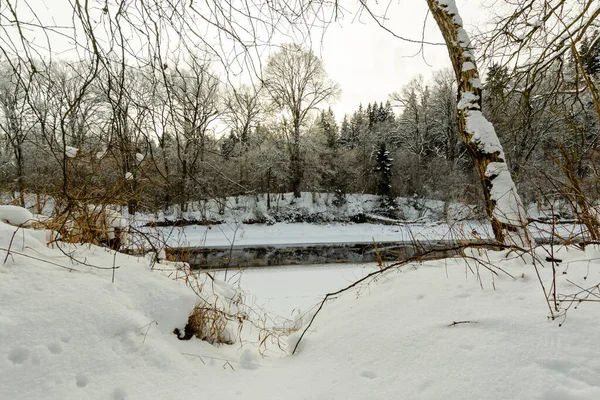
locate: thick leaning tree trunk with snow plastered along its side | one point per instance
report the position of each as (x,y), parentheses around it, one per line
(503,204)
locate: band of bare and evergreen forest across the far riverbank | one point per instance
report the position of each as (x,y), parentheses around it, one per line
(154,142)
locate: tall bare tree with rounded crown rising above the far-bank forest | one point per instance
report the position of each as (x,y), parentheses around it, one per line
(296,83)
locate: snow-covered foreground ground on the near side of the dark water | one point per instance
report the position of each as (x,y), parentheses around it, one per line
(446,329)
